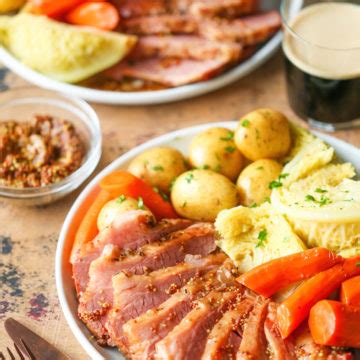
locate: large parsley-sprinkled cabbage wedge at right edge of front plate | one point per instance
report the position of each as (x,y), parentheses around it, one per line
(319,200)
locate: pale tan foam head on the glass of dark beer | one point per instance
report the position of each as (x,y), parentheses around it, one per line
(323,39)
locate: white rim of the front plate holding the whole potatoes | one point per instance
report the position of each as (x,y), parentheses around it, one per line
(65,286)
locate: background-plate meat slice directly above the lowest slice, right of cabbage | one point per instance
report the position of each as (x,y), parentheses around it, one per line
(185,47)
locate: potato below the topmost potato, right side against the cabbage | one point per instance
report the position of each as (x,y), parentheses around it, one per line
(253,182)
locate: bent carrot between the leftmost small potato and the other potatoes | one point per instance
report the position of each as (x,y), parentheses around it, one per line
(123,183)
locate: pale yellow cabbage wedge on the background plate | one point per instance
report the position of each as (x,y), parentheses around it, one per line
(63,52)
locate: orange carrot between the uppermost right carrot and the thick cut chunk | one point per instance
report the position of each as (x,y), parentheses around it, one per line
(293,310)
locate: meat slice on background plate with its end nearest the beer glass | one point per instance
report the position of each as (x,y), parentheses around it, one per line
(249,30)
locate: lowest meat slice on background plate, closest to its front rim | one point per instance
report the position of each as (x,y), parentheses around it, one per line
(168,72)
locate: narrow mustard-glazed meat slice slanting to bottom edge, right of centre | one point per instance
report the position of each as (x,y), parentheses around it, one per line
(225,337)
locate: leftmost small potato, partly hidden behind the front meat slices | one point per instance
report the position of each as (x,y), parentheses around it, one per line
(115,207)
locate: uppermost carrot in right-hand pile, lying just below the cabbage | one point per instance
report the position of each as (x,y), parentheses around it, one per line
(277,274)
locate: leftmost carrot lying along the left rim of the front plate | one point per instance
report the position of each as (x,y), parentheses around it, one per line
(87,229)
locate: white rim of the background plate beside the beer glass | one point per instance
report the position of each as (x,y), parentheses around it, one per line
(150,97)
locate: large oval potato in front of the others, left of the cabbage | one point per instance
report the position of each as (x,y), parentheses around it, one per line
(202,194)
